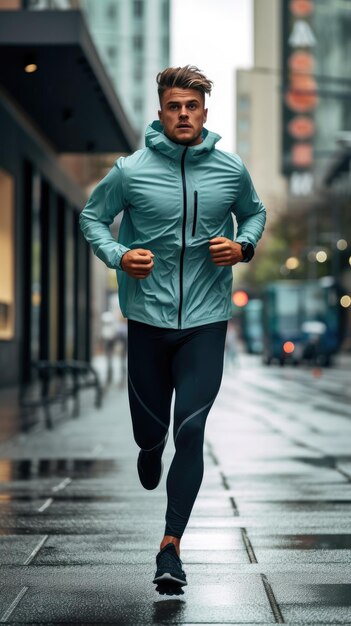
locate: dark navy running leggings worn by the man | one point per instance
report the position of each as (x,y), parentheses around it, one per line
(190,362)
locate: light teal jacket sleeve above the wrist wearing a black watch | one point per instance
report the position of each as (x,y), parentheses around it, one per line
(249,211)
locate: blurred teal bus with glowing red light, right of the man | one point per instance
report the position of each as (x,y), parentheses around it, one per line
(301,321)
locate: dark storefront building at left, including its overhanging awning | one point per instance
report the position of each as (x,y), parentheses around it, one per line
(45,279)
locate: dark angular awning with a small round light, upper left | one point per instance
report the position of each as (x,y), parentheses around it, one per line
(70,97)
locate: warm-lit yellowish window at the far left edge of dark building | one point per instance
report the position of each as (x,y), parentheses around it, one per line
(7,270)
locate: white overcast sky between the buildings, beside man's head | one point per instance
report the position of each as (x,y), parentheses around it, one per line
(215,35)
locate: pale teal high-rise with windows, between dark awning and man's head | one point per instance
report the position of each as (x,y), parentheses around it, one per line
(133,39)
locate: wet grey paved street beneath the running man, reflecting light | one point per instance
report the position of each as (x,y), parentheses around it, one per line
(269,540)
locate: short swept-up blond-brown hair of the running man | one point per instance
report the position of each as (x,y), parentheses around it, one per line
(187,77)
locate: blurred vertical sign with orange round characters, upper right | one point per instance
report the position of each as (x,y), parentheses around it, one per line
(300,97)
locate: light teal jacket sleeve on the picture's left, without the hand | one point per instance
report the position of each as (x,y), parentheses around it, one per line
(106,201)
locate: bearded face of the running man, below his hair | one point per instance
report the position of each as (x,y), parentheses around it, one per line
(183,115)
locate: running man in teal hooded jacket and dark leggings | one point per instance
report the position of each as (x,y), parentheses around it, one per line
(174,259)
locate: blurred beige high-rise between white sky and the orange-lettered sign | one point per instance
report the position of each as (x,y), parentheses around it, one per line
(258,126)
